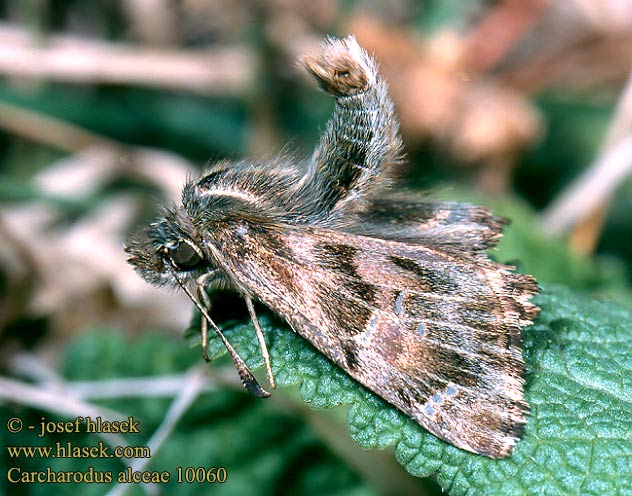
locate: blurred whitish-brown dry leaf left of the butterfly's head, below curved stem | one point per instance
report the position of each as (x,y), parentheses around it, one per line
(83,279)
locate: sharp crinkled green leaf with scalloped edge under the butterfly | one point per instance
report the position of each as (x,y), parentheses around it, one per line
(578,438)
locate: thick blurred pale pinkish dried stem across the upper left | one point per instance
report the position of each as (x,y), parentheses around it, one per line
(225,70)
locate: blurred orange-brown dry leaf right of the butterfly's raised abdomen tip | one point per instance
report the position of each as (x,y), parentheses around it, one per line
(437,98)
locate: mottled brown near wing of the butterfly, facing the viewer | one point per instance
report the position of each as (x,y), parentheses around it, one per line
(434,333)
